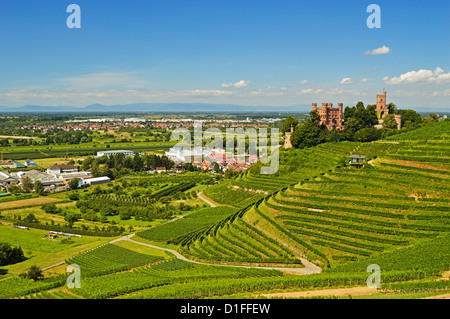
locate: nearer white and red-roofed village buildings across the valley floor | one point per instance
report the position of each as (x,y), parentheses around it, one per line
(57,177)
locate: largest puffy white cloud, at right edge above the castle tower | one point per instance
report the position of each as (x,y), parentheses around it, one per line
(428,76)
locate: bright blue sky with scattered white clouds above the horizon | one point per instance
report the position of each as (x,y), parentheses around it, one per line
(242,52)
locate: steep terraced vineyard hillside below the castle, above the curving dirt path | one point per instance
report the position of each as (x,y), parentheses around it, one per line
(335,214)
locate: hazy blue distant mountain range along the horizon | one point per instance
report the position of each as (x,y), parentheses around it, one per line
(173,108)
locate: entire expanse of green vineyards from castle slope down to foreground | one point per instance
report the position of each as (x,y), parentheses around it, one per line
(317,209)
